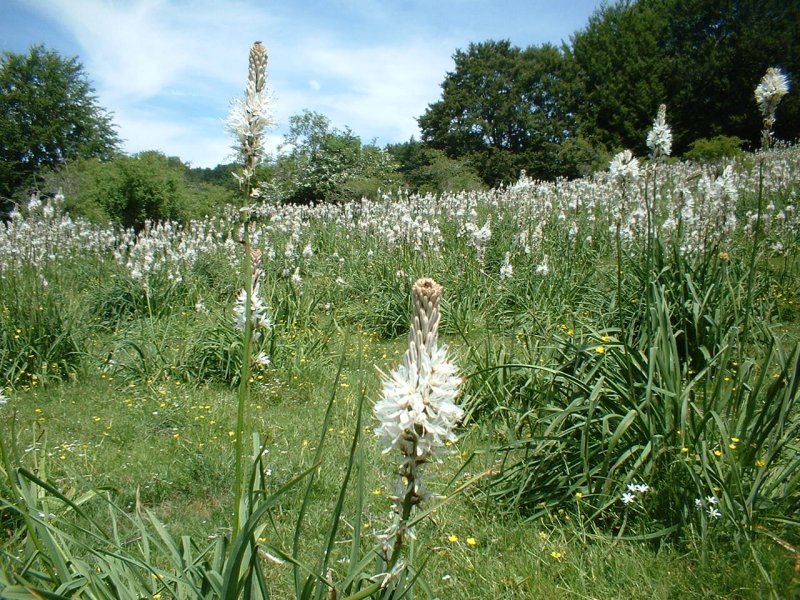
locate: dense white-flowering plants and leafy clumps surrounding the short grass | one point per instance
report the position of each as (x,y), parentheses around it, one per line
(628,336)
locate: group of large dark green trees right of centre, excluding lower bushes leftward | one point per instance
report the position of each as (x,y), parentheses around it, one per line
(561,111)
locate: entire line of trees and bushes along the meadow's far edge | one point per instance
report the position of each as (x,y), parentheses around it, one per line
(550,111)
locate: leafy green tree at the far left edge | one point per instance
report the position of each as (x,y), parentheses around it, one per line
(48,114)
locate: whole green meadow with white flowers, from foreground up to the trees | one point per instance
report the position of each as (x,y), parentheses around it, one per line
(628,348)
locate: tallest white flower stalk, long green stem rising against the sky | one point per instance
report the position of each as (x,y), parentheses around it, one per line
(248,120)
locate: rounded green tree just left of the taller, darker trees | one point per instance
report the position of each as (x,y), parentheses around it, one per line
(502,108)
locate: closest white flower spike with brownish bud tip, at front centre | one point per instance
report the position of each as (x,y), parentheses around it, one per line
(418,410)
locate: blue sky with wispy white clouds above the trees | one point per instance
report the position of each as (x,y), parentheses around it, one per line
(168,69)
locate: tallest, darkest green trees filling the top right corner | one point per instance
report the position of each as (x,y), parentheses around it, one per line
(703,58)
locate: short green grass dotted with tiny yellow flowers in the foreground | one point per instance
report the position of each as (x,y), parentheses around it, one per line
(169,447)
